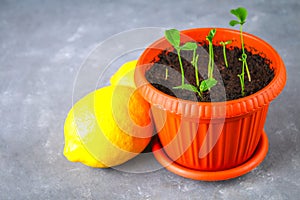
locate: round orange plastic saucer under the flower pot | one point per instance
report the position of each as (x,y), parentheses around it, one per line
(258,156)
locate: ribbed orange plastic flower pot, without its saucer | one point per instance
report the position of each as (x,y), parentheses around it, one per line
(210,136)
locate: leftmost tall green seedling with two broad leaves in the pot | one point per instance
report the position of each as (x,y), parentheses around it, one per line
(173,37)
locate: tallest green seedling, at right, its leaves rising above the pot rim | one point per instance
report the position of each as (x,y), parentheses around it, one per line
(241,14)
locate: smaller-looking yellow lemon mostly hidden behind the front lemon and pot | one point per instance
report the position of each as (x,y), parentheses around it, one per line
(125,75)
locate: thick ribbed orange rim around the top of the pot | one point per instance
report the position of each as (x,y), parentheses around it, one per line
(211,110)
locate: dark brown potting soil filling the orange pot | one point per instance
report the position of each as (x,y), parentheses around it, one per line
(228,86)
